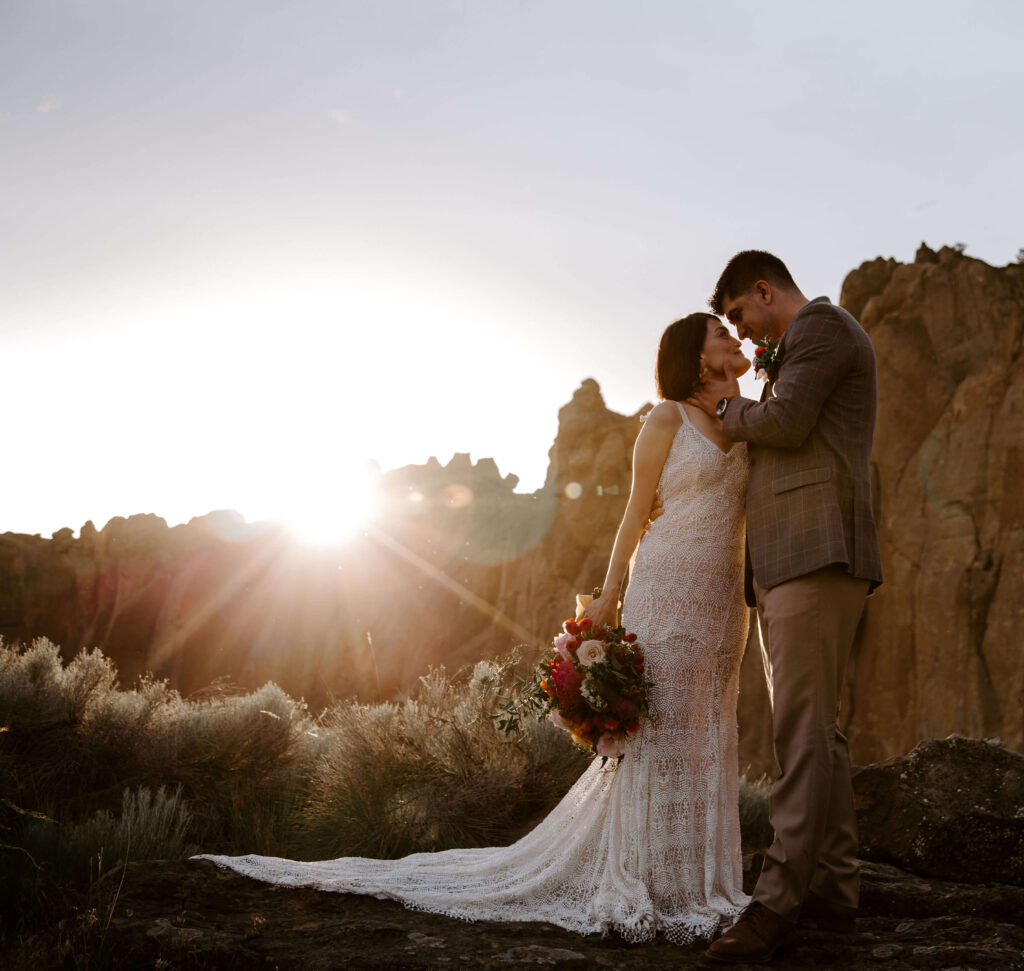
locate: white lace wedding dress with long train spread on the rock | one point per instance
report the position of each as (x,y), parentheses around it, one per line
(652,845)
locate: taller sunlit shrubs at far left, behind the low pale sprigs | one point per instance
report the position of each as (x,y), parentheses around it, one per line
(73,742)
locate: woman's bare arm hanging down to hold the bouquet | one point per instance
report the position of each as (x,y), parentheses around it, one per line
(650,454)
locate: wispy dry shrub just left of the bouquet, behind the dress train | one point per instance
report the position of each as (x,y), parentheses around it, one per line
(432,773)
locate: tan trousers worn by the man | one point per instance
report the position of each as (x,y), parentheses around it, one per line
(807,629)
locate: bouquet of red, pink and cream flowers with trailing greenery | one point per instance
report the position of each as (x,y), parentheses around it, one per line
(591,684)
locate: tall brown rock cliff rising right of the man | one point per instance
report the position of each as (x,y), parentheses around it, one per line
(942,646)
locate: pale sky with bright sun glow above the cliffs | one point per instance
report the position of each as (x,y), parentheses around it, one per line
(246,245)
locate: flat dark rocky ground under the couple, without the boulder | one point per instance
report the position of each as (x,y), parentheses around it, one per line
(197,916)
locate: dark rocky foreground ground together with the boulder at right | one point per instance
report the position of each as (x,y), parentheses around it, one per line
(951,809)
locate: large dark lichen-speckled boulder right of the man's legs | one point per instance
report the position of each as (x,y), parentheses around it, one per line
(953,809)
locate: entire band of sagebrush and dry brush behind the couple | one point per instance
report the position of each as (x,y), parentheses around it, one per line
(93,775)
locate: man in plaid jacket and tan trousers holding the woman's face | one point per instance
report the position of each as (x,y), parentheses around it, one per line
(813,560)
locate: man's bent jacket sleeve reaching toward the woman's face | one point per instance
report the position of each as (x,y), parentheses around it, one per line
(819,352)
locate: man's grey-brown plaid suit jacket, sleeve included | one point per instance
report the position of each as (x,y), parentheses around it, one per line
(809,497)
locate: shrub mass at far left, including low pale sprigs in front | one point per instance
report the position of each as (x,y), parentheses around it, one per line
(72,743)
